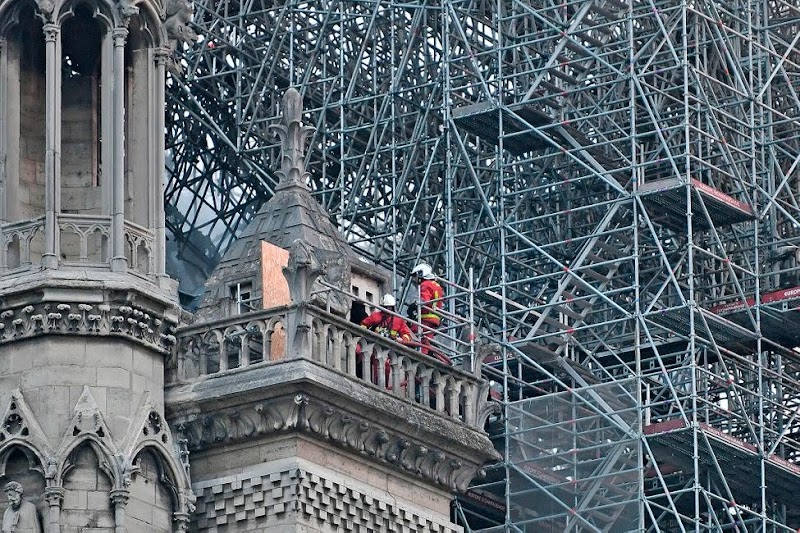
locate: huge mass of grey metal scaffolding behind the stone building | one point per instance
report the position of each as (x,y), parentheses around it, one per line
(619,179)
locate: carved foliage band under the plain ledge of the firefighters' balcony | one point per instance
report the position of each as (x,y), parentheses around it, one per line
(331,424)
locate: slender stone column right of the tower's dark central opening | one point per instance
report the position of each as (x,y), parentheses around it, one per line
(119,263)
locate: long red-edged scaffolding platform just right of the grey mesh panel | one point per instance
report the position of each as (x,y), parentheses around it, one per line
(671,442)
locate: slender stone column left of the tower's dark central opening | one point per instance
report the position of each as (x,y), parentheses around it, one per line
(52,122)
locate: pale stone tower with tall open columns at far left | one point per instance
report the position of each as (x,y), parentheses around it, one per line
(87,315)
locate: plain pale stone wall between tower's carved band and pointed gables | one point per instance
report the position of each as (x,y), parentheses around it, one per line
(52,372)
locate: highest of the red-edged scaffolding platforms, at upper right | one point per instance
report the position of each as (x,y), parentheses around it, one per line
(667,200)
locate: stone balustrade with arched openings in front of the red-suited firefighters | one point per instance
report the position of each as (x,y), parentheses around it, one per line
(302,331)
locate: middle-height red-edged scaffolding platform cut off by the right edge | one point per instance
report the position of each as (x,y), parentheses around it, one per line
(780,315)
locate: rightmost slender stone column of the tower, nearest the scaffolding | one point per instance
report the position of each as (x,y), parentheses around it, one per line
(160,252)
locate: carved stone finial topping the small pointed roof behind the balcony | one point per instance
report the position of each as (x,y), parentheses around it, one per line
(293,136)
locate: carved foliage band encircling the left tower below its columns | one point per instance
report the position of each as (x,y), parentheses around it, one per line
(87,319)
